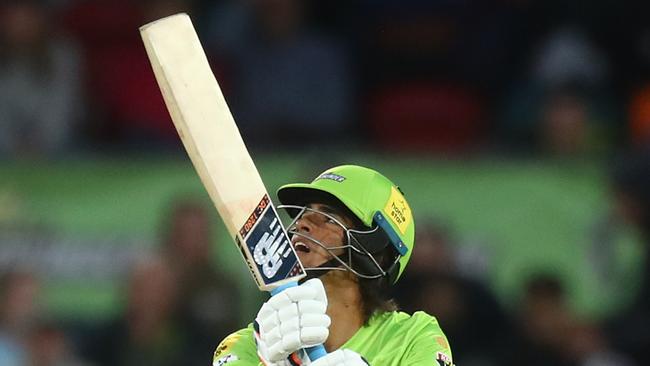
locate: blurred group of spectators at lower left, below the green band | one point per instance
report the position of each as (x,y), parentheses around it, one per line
(176,307)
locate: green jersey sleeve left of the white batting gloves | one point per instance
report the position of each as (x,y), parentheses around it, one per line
(238,349)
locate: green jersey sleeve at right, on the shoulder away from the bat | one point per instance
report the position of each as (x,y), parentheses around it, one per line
(430,345)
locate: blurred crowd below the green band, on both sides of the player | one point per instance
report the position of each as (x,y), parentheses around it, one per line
(177,305)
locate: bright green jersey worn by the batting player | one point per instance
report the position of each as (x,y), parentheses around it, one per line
(390,339)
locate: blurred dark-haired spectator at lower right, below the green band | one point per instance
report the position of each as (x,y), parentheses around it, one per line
(548,333)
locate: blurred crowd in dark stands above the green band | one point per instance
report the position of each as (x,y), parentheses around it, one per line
(523,76)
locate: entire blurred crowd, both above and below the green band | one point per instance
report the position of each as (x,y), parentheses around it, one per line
(517,77)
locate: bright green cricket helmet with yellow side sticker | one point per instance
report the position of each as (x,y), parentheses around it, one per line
(372,200)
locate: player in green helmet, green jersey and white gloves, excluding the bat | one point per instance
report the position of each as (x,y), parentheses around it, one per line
(353,231)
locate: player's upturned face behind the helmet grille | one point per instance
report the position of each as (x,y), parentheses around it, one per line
(322,228)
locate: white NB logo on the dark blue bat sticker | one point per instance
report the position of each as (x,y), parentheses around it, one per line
(271,248)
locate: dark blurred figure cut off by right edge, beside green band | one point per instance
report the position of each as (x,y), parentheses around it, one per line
(630,331)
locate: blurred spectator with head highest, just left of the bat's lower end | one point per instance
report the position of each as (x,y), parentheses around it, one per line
(209,297)
